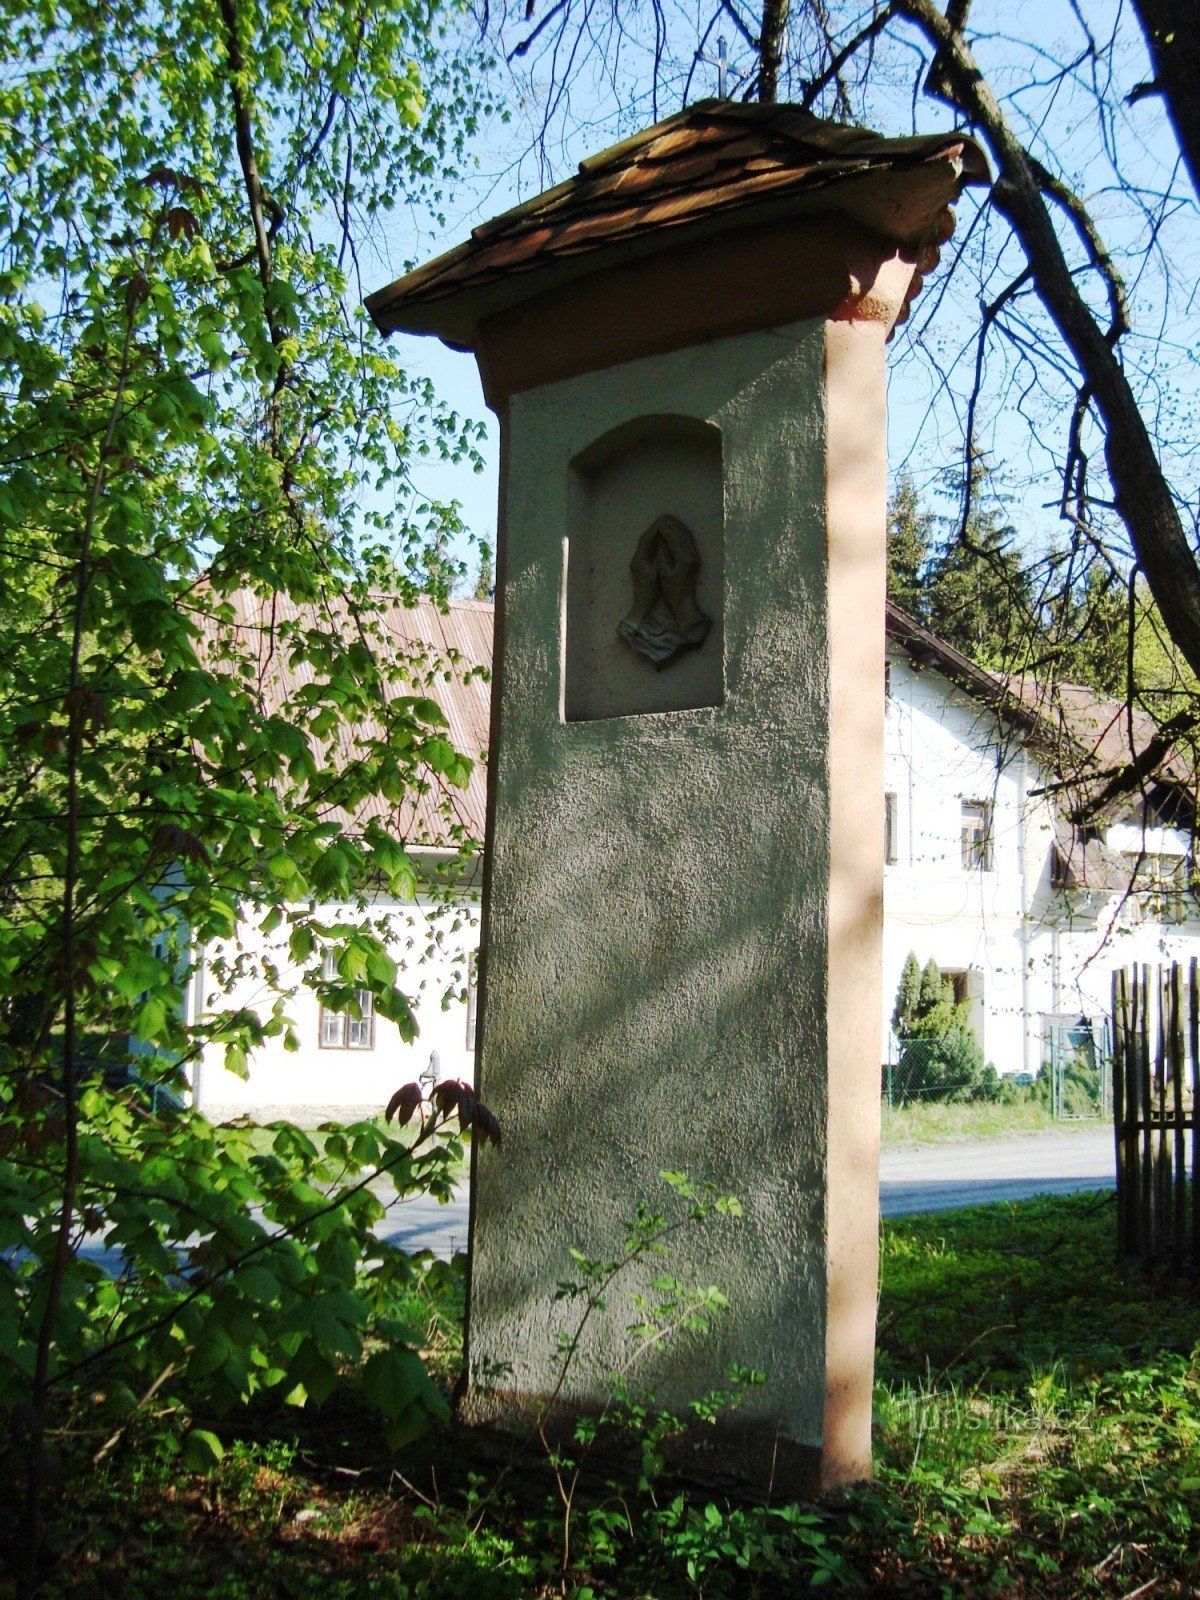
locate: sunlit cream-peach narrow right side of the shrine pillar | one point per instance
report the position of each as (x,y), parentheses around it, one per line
(857,582)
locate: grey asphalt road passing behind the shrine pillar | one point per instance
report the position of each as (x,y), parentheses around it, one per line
(913,1178)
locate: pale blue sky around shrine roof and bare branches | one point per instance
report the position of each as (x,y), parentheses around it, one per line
(1124,167)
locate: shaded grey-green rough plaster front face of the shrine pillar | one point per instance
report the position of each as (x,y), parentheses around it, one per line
(658,916)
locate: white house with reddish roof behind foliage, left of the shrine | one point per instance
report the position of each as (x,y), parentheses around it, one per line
(348,1063)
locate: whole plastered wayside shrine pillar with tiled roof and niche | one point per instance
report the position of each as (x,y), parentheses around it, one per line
(686,348)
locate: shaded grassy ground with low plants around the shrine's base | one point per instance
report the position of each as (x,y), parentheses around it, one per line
(1038,1436)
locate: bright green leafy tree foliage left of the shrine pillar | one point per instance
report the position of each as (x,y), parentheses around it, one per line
(204,466)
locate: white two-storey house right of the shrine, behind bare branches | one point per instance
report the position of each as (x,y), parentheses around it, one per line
(1026,910)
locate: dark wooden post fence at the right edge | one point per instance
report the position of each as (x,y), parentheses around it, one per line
(1156,1111)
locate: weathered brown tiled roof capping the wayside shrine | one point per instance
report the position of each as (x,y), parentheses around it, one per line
(713,167)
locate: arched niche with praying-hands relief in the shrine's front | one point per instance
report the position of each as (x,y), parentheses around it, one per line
(644,572)
